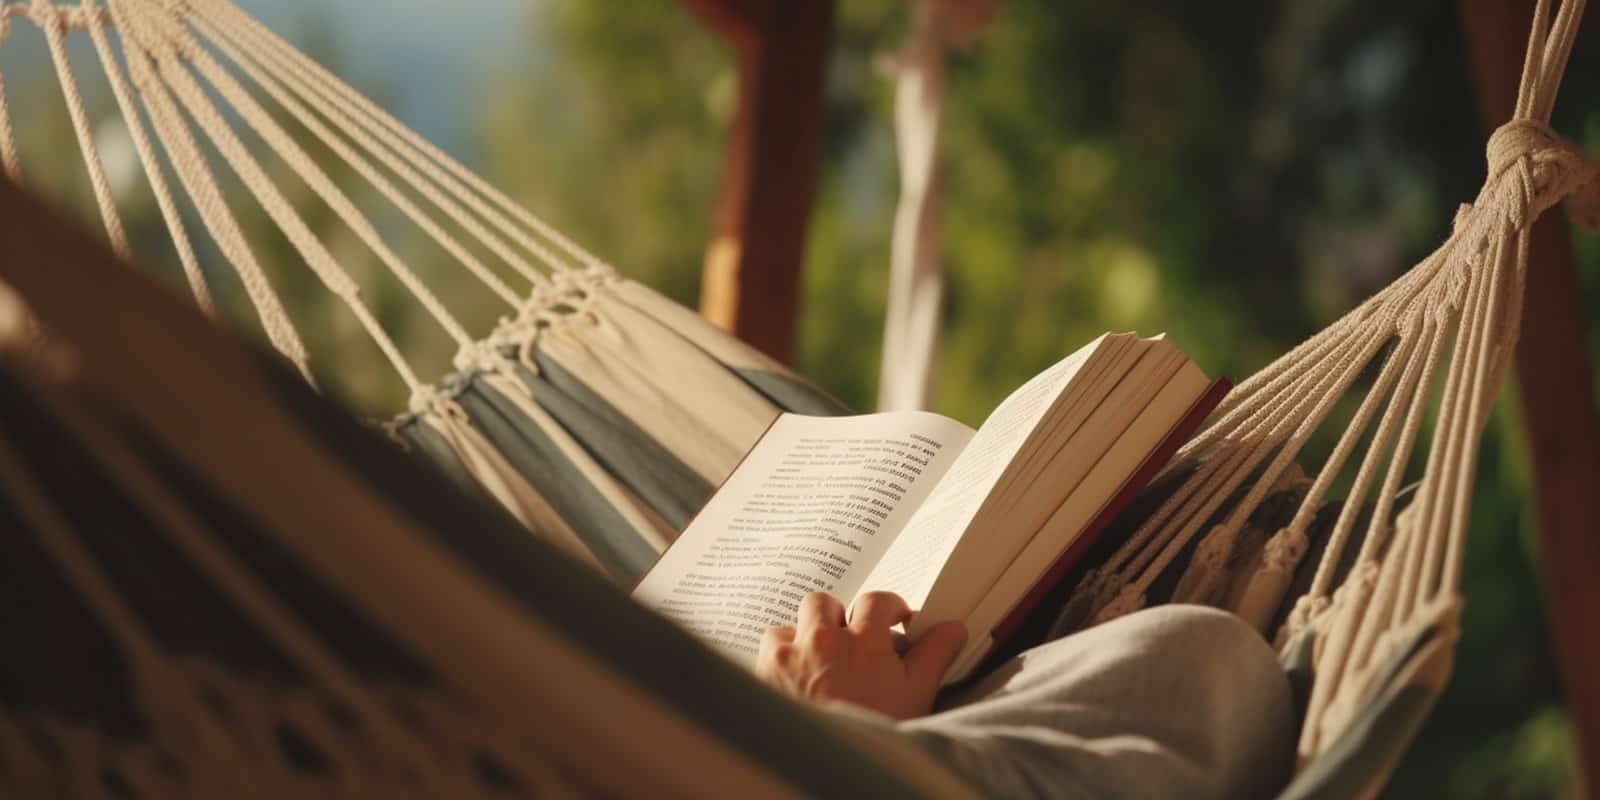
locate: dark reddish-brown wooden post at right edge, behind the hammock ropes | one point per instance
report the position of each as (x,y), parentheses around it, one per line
(1559,407)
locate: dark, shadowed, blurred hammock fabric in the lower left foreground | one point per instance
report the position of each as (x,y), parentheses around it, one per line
(239,591)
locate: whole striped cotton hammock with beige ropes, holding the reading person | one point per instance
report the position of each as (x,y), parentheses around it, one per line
(361,641)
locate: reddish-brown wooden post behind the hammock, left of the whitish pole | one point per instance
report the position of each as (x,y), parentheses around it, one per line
(751,284)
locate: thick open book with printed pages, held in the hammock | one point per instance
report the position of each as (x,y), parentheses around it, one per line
(964,524)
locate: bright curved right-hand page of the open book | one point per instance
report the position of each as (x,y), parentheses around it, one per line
(911,567)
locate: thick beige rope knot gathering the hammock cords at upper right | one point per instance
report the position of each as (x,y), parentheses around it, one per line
(1532,169)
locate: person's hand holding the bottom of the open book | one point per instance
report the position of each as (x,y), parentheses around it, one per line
(823,658)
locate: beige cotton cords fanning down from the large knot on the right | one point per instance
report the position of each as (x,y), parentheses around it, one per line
(1457,313)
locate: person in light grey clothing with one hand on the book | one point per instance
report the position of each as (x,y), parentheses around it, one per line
(1172,702)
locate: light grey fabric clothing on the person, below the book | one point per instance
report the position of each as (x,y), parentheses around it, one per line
(1172,702)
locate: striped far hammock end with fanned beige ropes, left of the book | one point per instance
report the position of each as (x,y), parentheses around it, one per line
(598,412)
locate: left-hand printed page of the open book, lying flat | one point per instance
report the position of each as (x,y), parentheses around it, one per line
(812,510)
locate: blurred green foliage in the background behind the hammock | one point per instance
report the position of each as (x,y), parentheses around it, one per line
(1238,180)
